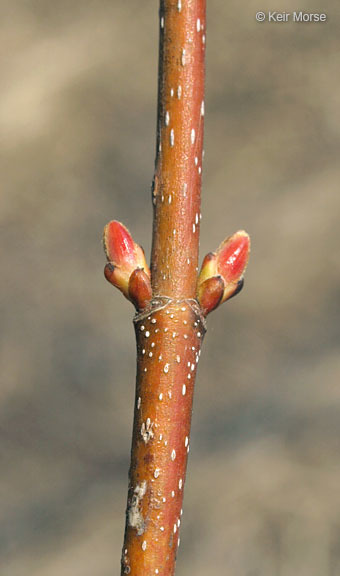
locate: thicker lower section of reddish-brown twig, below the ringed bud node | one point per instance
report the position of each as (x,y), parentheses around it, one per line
(169,337)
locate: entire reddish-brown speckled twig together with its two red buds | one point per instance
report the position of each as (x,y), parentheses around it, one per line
(170,323)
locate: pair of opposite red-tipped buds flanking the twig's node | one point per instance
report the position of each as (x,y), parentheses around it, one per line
(220,278)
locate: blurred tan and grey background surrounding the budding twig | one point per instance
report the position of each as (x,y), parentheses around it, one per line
(77,140)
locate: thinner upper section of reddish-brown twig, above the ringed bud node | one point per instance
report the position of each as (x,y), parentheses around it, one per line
(178,174)
